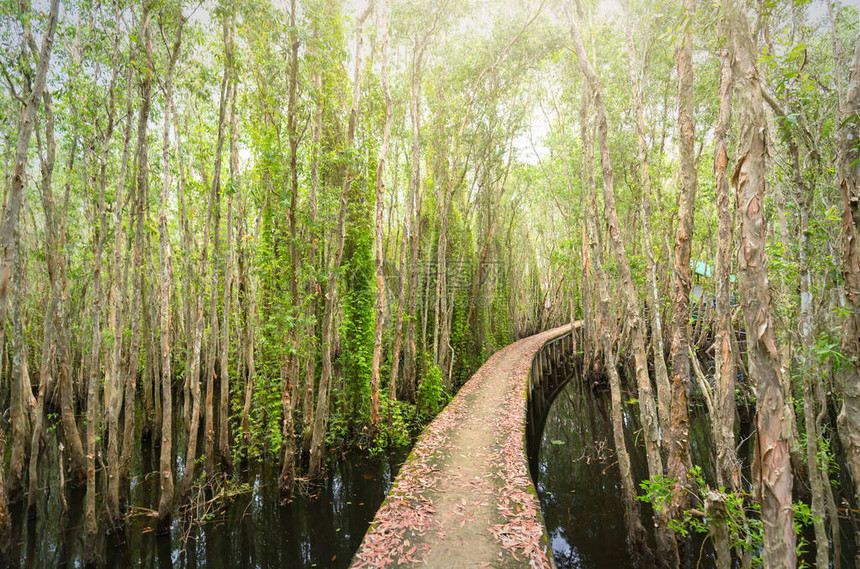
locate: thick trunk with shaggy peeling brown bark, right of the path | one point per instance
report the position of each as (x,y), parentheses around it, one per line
(772,466)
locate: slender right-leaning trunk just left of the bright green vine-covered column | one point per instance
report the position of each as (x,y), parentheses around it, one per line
(321,415)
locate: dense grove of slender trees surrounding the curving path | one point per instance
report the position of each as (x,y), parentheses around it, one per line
(248,231)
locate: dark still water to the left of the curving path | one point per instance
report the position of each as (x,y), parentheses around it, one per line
(322,527)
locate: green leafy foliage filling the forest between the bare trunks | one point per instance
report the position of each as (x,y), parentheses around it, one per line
(520,215)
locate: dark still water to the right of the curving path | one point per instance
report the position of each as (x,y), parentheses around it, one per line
(575,469)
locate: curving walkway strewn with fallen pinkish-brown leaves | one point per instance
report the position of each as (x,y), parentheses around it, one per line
(464,497)
